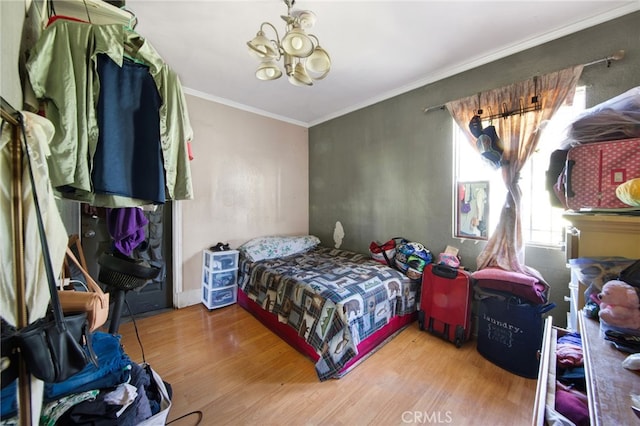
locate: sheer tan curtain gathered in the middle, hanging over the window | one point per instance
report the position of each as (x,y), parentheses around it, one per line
(519,134)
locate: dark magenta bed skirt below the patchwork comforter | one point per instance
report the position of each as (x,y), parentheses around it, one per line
(289,335)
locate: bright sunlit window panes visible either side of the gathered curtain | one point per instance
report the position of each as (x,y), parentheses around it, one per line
(542,224)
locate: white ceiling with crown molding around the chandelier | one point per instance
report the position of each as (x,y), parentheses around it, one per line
(379,49)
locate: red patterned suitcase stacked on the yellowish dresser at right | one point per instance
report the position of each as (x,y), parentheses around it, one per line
(595,170)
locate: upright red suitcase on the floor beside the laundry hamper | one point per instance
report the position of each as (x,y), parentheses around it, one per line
(445,303)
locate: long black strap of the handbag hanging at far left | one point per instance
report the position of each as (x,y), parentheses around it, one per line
(56,307)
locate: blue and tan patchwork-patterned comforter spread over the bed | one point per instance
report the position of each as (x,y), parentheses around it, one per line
(333,298)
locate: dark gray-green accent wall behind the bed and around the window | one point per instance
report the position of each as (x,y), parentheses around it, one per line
(387,170)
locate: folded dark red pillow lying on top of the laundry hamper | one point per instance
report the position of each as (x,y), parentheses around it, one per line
(525,286)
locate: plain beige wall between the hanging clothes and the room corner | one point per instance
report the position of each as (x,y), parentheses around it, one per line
(250,177)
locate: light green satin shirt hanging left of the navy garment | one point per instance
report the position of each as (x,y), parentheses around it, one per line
(60,69)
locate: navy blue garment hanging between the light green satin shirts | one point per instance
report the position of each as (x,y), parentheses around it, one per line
(128,158)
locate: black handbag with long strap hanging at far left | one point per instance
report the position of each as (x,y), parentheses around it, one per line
(54,347)
